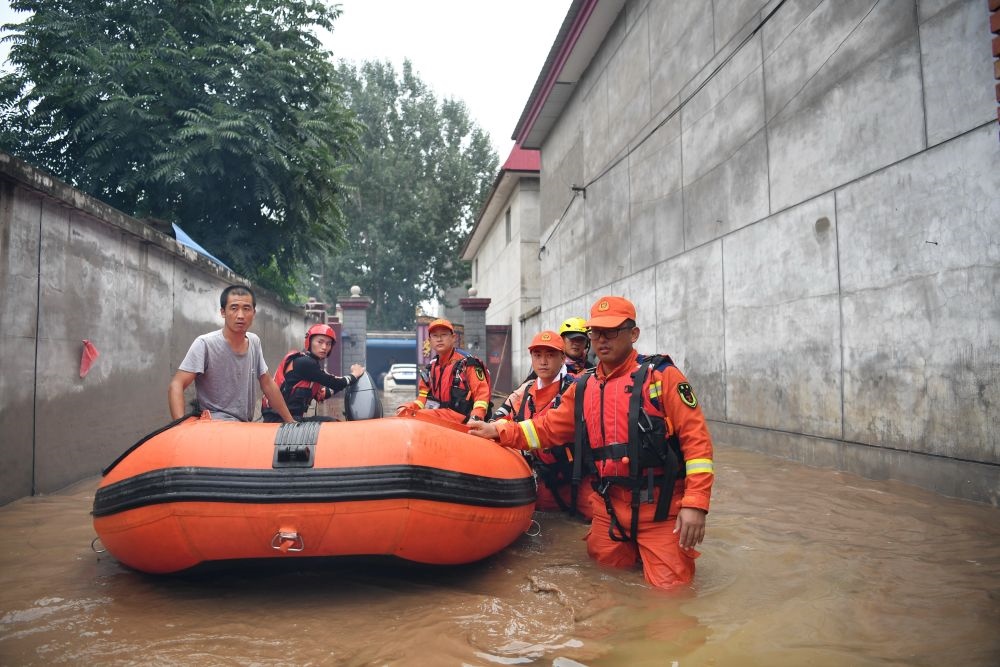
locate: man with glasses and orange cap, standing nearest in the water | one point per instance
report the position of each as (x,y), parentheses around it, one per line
(641,426)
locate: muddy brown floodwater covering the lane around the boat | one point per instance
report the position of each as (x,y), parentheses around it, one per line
(801,566)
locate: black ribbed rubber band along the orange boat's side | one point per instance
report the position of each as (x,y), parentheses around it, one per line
(309,485)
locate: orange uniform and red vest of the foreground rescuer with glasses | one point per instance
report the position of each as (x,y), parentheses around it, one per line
(667,393)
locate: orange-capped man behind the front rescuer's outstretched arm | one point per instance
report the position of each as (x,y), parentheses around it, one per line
(553,466)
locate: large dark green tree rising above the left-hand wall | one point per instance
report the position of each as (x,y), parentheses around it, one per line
(224,117)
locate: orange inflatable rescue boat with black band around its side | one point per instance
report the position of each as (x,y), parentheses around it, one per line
(205,490)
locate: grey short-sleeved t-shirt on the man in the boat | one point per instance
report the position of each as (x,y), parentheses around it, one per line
(227,382)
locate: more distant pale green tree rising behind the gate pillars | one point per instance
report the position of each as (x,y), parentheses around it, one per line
(425,169)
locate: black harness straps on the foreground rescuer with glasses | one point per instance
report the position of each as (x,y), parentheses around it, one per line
(648,448)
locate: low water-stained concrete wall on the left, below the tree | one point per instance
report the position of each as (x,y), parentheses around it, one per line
(72,268)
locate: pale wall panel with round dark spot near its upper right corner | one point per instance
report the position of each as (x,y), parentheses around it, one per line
(782,322)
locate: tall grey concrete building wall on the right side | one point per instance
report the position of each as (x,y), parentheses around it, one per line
(809,224)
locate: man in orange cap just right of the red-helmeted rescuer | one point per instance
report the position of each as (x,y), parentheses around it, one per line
(456,384)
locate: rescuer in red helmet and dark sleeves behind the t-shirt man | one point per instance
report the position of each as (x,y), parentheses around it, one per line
(302,378)
